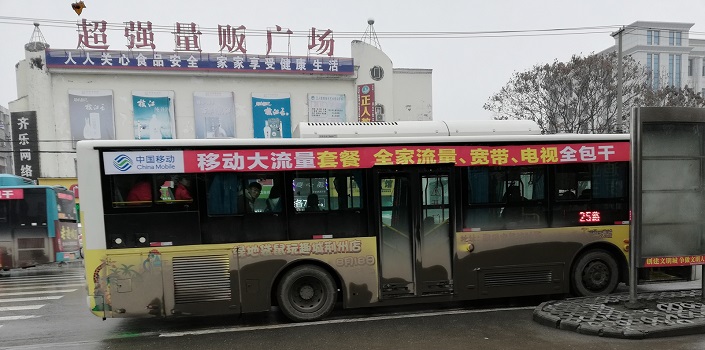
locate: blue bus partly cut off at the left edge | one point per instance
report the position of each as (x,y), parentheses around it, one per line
(38,224)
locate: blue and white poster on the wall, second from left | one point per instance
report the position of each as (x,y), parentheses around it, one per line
(153,115)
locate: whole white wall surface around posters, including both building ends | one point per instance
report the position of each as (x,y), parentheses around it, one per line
(47,93)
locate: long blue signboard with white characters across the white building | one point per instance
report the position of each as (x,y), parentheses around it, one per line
(194,61)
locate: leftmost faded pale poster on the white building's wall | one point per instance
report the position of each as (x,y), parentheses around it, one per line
(91,115)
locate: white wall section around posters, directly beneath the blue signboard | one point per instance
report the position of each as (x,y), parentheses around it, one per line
(184,85)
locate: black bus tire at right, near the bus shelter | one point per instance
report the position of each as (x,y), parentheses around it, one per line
(595,273)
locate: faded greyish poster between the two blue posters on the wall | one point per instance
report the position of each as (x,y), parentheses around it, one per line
(214,114)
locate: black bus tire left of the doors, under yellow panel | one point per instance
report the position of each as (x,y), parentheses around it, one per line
(306,293)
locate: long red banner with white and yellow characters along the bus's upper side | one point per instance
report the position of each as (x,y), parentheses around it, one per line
(367,157)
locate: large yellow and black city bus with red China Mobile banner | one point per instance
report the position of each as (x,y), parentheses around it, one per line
(309,224)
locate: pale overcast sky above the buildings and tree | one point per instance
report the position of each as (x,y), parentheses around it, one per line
(467,69)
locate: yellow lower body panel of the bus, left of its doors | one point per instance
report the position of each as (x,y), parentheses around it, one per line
(206,280)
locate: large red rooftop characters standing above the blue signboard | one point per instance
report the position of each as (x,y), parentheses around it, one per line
(187,37)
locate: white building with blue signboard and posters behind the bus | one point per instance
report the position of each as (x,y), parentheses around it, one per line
(100,94)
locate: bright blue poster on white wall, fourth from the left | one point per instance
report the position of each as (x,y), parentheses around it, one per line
(271,115)
